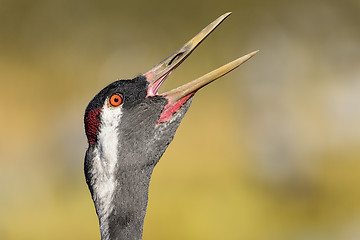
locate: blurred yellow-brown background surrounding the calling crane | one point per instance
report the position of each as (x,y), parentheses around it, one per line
(270,151)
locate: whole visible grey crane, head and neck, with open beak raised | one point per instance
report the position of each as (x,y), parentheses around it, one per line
(129,126)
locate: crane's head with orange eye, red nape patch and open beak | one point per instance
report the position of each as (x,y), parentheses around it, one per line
(134,116)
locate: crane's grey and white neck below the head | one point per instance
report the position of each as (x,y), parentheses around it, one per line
(120,195)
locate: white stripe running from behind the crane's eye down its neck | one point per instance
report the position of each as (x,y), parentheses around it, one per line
(106,154)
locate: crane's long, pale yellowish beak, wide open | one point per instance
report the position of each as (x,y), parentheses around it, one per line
(161,71)
